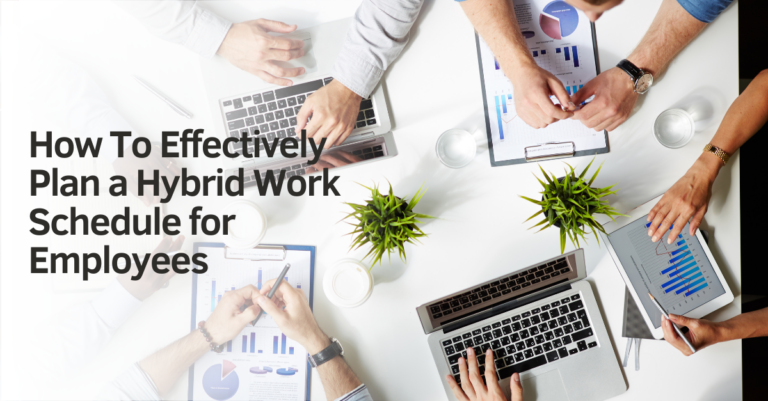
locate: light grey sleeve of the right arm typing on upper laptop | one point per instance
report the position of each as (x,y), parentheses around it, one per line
(378,34)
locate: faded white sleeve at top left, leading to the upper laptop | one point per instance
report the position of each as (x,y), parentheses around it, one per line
(181,22)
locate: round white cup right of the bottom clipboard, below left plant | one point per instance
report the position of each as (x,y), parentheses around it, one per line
(348,283)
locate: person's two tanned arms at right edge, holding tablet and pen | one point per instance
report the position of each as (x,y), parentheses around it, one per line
(688,199)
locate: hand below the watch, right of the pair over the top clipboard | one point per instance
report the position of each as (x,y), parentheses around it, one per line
(614,99)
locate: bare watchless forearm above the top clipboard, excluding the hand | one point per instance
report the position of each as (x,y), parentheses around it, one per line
(496,23)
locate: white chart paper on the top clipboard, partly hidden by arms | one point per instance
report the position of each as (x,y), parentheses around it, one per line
(561,41)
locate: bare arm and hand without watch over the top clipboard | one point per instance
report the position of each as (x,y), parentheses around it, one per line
(496,23)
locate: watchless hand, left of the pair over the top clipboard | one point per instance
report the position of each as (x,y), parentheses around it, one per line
(533,86)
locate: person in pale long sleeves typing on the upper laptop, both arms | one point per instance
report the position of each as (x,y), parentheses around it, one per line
(378,34)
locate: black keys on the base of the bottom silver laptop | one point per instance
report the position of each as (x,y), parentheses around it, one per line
(527,340)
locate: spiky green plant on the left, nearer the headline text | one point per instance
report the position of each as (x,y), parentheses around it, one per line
(387,222)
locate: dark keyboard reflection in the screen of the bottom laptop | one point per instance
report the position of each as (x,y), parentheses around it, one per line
(504,286)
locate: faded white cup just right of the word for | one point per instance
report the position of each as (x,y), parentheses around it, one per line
(248,228)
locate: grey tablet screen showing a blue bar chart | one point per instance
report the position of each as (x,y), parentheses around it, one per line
(679,275)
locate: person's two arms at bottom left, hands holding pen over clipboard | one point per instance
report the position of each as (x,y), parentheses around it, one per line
(154,375)
